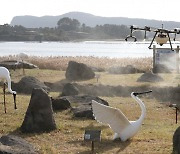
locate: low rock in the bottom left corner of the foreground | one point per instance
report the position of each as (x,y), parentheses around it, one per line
(11,144)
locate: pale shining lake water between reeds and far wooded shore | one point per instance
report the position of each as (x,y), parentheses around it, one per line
(116,49)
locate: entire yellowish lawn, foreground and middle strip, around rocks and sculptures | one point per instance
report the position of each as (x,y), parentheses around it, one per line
(155,136)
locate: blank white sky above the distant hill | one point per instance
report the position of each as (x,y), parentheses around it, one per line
(168,10)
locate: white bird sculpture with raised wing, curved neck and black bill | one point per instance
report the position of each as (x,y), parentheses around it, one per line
(123,128)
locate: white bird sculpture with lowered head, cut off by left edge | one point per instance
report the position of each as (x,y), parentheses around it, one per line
(5,76)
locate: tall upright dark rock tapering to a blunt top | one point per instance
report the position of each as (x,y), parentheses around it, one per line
(39,115)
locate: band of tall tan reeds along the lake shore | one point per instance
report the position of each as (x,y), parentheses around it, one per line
(61,63)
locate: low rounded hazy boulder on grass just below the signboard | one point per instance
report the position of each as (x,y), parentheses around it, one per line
(149,77)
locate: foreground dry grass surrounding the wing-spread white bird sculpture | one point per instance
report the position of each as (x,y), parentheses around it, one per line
(154,137)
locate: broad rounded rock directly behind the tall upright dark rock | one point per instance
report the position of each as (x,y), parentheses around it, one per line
(28,83)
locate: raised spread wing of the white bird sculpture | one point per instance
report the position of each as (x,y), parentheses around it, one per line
(111,116)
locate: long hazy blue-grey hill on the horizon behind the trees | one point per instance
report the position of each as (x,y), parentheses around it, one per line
(89,20)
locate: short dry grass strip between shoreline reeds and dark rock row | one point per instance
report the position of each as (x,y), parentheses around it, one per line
(105,78)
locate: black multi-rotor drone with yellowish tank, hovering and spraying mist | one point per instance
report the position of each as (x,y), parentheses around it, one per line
(161,35)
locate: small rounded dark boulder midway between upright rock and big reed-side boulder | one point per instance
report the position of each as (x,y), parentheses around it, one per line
(69,89)
